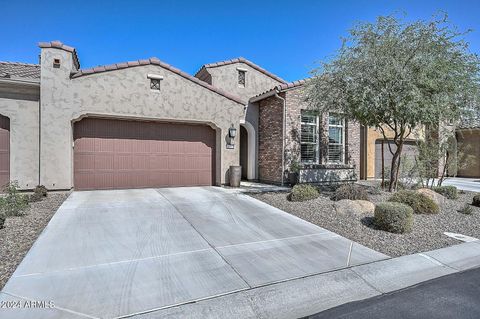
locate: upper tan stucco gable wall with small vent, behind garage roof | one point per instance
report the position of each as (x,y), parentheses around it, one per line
(226,77)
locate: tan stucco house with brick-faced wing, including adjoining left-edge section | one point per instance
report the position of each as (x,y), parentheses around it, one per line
(148,124)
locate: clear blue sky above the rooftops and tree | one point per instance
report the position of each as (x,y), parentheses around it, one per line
(288,38)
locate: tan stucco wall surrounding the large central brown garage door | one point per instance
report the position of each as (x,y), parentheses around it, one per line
(123,93)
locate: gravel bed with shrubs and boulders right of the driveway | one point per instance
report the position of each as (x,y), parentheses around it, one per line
(427,231)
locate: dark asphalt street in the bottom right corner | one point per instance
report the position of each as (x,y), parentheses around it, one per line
(453,296)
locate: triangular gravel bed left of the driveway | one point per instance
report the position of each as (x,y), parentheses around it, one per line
(19,233)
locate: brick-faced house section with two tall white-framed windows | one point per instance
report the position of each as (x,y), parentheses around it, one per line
(326,146)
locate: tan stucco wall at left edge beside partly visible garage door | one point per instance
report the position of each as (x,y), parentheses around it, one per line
(24,143)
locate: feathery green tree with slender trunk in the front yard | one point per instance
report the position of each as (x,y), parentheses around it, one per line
(399,76)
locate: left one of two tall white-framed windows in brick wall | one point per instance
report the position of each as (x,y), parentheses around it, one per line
(309,137)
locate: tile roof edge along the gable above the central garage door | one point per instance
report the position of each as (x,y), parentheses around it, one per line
(156,61)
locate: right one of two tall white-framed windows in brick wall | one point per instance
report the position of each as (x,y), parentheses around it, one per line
(336,138)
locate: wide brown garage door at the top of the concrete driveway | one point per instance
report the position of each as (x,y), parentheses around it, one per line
(110,154)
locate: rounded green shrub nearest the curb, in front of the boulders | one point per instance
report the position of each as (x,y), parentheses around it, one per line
(394,217)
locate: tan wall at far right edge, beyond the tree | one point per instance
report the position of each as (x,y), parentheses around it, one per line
(469,153)
